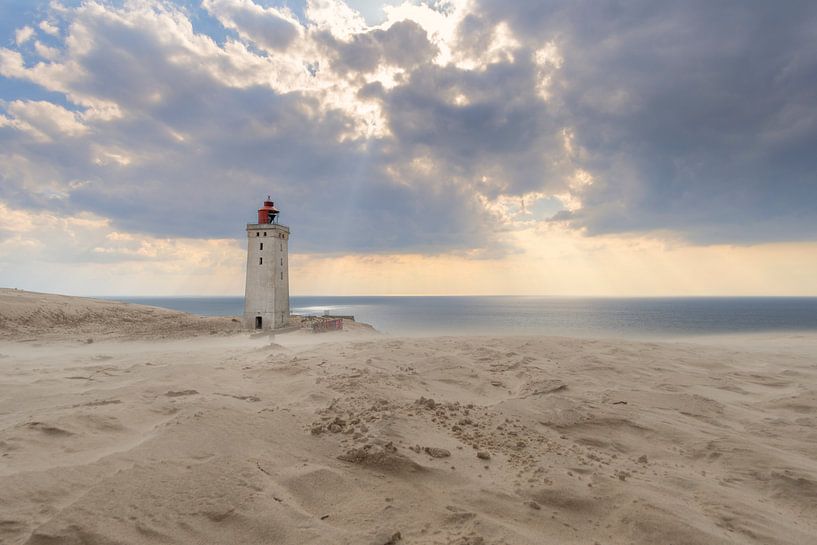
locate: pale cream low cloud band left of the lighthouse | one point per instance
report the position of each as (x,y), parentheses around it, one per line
(94,258)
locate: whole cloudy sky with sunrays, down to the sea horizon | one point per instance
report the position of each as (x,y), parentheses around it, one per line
(474,147)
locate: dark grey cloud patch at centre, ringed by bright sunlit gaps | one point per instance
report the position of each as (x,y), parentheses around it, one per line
(502,131)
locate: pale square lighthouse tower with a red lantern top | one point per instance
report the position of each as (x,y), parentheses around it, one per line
(266,293)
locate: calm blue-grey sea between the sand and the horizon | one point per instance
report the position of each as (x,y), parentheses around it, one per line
(594,317)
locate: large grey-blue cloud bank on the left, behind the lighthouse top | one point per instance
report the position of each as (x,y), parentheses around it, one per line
(175,135)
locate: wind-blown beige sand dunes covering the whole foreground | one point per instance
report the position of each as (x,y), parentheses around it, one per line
(365,439)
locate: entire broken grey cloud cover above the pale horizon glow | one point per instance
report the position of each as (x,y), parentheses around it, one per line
(444,129)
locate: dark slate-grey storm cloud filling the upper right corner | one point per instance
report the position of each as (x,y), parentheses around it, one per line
(696,117)
